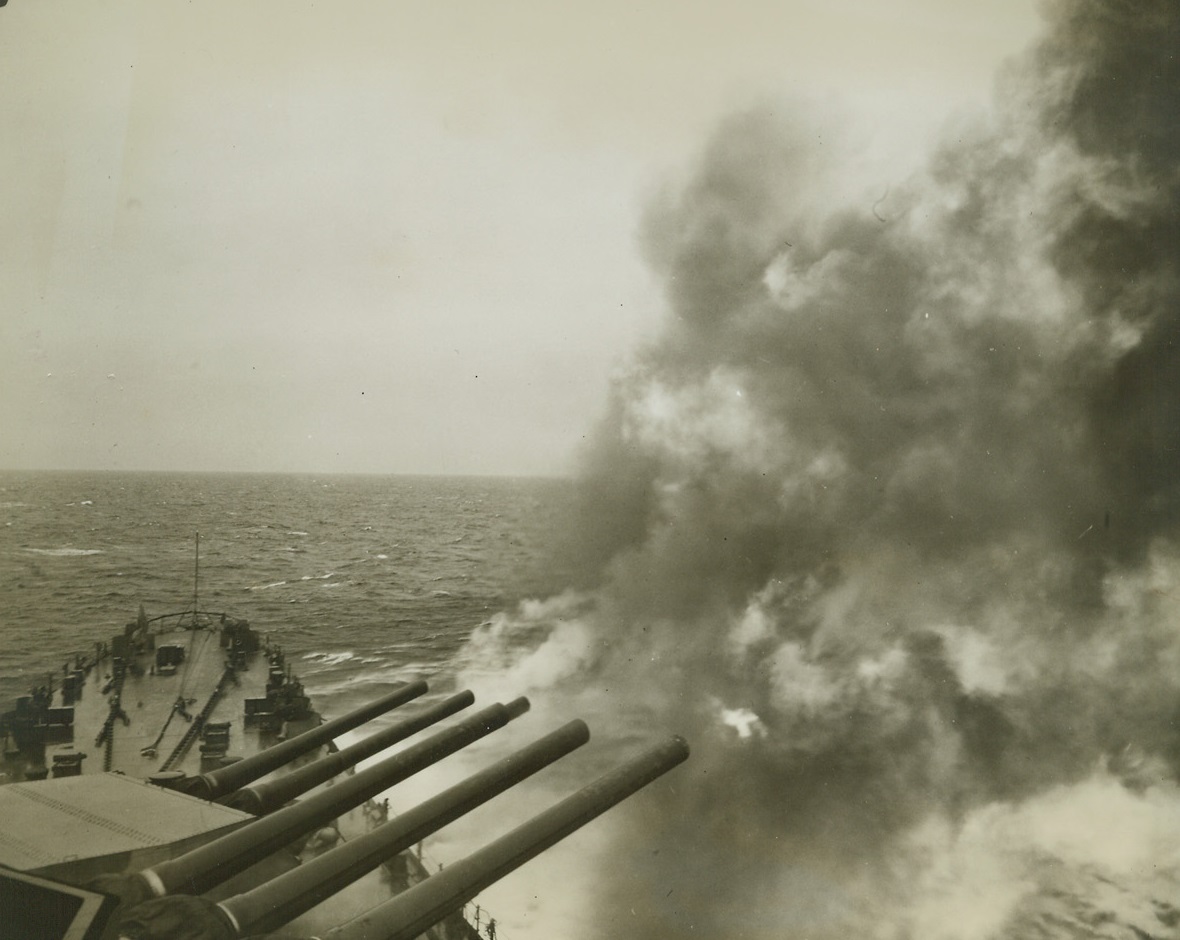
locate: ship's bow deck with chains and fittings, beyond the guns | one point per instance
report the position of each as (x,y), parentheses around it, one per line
(172,699)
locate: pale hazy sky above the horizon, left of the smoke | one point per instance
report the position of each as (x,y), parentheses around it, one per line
(372,236)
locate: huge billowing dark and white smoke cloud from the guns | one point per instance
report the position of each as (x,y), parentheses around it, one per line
(887,523)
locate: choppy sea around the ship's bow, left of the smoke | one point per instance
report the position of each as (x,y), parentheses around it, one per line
(365,582)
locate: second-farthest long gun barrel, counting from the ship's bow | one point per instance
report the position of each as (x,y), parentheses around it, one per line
(265,798)
